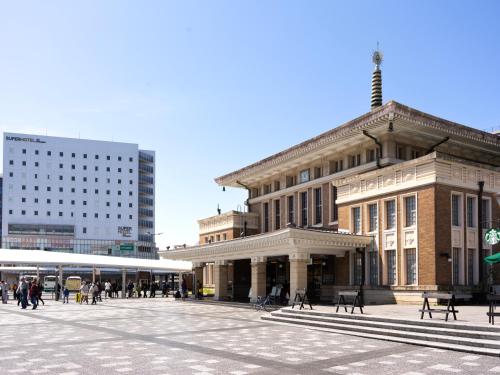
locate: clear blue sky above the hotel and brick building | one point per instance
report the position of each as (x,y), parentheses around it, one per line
(215,85)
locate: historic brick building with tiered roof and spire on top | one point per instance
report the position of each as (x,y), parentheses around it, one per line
(395,201)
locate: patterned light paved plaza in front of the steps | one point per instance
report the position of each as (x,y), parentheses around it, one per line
(159,336)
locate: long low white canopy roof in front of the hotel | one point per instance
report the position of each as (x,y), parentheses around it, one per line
(40,257)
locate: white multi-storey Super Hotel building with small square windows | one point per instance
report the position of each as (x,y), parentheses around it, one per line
(75,195)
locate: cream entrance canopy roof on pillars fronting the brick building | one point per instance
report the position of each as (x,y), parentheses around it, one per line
(289,241)
